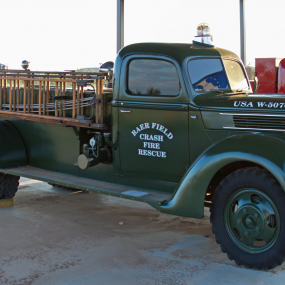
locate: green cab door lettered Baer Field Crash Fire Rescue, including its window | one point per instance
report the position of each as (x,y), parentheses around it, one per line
(153,119)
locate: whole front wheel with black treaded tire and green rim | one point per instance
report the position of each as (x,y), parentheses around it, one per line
(248,218)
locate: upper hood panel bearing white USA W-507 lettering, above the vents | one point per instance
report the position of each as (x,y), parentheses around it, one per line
(245,102)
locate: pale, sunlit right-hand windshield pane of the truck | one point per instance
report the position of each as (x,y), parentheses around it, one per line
(235,75)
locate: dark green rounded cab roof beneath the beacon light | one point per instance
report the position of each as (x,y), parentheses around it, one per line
(177,51)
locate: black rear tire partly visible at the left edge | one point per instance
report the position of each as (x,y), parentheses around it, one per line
(8,185)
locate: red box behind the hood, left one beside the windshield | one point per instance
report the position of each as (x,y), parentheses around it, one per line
(266,73)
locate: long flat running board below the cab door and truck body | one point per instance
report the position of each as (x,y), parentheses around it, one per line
(143,195)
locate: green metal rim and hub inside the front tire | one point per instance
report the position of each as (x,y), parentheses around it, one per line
(252,220)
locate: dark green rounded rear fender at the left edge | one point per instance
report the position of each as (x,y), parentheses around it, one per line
(12,148)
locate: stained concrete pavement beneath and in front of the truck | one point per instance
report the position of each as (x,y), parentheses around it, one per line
(55,236)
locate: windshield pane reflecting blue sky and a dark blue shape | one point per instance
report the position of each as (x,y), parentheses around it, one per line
(207,74)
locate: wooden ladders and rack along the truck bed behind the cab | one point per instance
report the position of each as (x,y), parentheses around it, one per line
(54,97)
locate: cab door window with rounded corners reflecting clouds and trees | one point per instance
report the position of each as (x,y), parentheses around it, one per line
(153,77)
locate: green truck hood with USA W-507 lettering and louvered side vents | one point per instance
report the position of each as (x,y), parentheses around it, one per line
(246,112)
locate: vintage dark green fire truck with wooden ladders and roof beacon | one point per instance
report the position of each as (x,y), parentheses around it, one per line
(179,130)
